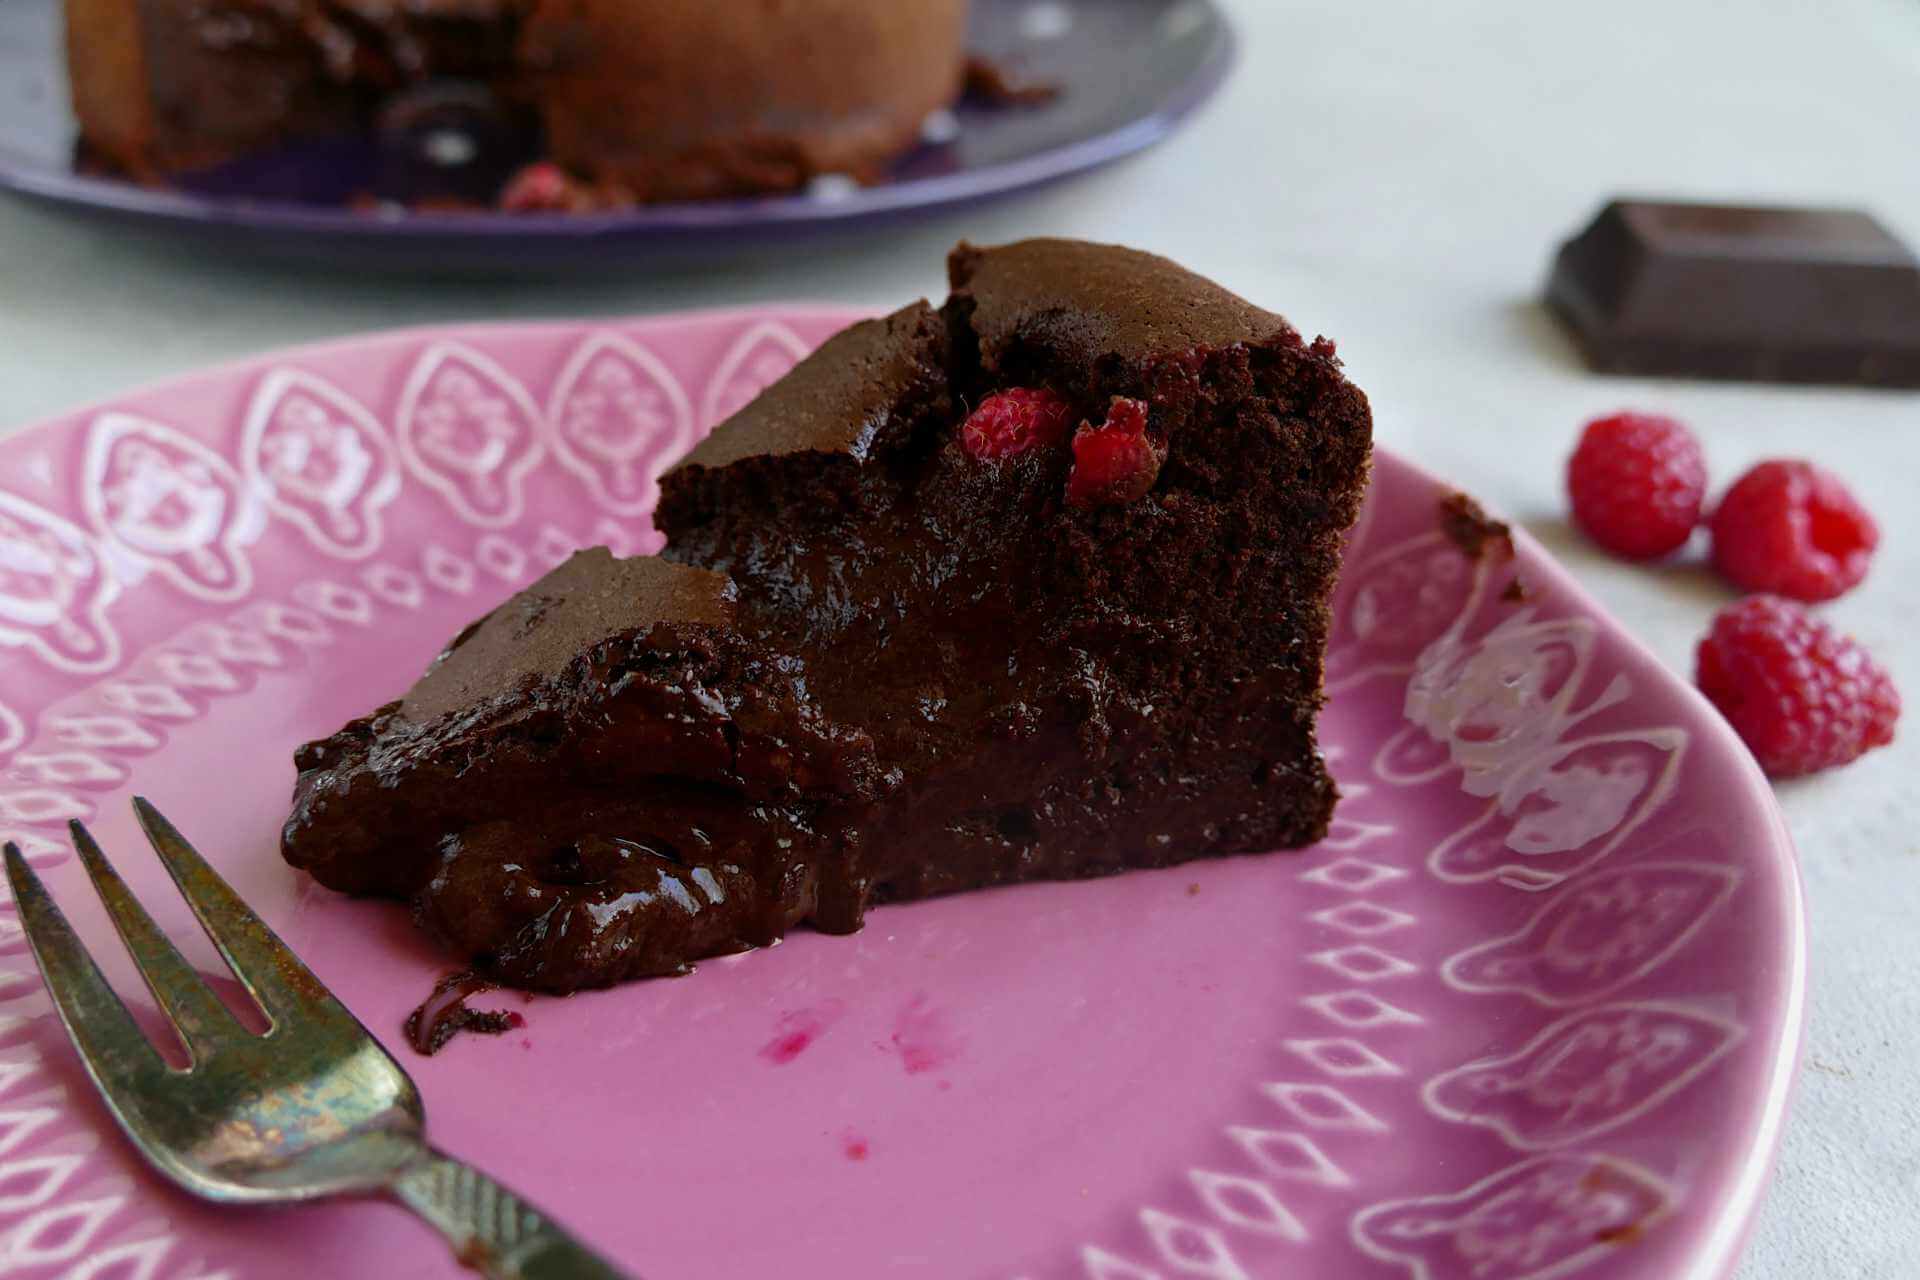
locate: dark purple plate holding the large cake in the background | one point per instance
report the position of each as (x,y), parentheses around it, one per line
(1130,72)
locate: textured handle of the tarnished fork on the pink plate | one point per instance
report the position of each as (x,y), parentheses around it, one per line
(494,1231)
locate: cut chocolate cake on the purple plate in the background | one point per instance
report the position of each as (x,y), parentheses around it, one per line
(663,101)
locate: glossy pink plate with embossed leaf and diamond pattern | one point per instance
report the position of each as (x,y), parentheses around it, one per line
(1529,1012)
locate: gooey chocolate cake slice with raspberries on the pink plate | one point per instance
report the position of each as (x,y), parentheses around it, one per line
(1026,588)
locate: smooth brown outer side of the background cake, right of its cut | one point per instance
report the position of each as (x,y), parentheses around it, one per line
(692,99)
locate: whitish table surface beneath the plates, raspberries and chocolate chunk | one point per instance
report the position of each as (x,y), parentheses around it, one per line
(1393,176)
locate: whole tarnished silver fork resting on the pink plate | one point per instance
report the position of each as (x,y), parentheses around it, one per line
(312,1108)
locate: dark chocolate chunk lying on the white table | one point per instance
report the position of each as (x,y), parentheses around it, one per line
(1727,293)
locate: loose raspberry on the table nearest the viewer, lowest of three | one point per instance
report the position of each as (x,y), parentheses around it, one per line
(1802,696)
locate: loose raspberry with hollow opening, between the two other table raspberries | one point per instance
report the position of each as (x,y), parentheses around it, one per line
(1794,531)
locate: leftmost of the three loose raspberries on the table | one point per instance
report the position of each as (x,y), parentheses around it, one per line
(1637,485)
